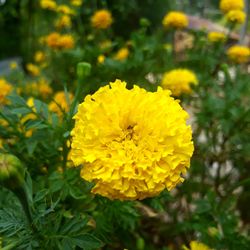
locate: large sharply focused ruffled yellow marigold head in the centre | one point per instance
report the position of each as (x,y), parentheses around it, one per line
(132,143)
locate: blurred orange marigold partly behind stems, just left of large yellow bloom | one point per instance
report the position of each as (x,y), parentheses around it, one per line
(60,103)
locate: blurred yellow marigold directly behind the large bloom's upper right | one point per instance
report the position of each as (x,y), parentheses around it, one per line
(179,81)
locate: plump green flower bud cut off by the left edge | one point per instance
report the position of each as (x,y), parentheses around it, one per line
(12,171)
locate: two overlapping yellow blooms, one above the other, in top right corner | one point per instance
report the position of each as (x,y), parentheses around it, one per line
(234,10)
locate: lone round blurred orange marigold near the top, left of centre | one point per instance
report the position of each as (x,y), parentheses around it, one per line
(101,19)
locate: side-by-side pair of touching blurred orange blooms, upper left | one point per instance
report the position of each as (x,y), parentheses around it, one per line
(58,41)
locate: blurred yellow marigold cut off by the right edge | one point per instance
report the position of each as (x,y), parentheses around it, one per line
(238,53)
